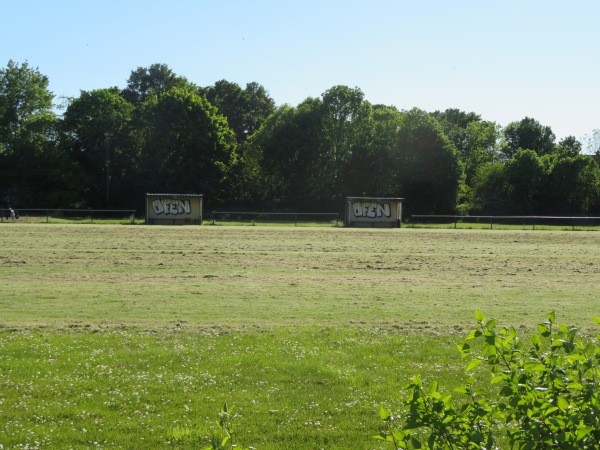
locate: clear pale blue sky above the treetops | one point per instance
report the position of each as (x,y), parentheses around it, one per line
(504,59)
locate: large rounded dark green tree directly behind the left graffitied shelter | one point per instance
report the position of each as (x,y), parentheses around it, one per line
(188,147)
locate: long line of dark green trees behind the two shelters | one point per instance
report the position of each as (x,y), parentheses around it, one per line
(163,134)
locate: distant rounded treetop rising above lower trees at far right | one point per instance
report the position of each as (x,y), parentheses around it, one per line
(529,134)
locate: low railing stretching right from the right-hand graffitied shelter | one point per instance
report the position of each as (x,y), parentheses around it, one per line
(528,221)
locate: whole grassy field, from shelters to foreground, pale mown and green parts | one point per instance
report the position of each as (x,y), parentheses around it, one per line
(133,336)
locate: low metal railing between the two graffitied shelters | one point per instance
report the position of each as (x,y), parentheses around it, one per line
(255,218)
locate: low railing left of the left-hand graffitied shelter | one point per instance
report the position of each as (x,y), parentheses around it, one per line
(71,215)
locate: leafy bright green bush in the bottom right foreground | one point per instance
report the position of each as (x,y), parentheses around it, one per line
(545,394)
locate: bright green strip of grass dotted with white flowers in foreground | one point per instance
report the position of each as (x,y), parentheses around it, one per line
(132,389)
